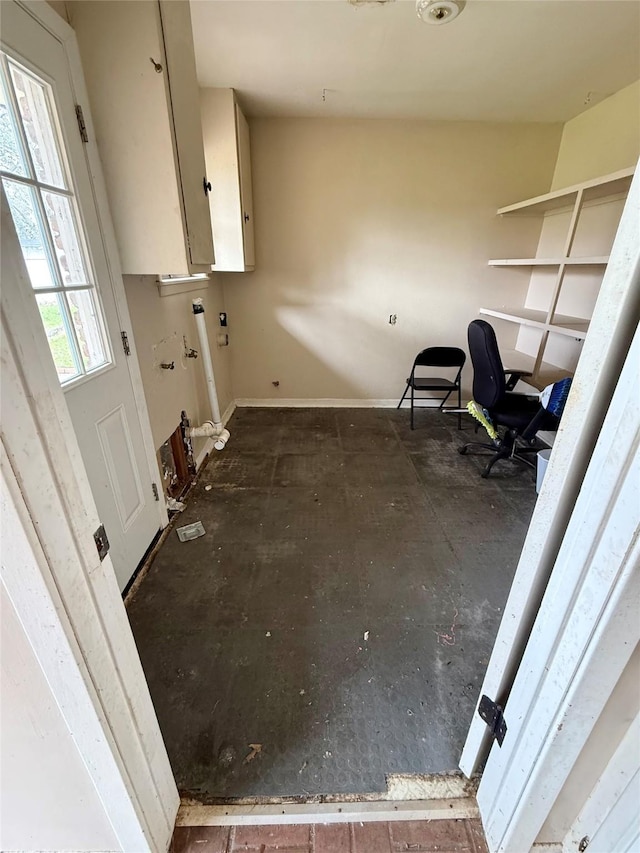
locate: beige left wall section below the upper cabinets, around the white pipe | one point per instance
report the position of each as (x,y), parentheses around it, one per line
(159,324)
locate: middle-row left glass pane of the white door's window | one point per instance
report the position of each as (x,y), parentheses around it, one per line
(34,246)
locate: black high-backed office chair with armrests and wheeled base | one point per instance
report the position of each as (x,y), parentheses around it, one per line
(520,416)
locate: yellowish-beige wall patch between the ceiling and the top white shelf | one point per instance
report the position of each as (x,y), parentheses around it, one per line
(601,140)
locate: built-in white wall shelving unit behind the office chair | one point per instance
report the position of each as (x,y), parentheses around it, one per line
(577,228)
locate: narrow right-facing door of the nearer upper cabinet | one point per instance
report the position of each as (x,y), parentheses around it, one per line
(185,108)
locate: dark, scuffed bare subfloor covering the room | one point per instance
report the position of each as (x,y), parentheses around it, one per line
(334,624)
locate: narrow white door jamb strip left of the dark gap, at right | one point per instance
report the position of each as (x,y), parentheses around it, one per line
(614,323)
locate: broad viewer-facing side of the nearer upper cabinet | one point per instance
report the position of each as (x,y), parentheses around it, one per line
(133,131)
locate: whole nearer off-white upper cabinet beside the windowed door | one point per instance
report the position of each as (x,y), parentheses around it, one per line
(139,64)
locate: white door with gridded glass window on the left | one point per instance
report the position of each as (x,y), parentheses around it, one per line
(50,192)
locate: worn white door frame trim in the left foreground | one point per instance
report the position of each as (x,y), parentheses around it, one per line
(82,596)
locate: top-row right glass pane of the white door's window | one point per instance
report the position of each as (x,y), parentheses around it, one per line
(33,103)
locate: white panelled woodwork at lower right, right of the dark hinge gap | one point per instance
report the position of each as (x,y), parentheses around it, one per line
(584,636)
